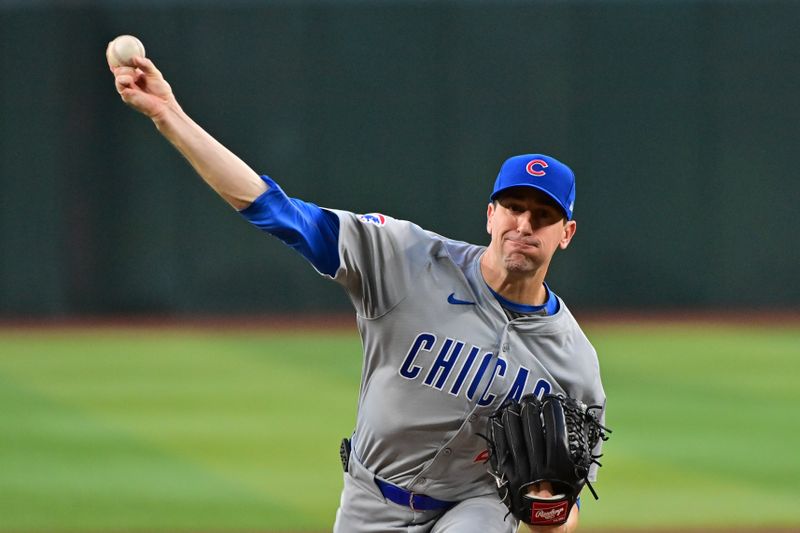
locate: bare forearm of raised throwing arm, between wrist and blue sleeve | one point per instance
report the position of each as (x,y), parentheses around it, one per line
(229,176)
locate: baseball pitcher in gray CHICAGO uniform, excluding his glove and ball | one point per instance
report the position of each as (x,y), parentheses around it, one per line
(450,330)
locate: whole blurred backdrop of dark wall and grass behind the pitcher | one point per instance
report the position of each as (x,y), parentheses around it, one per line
(679,118)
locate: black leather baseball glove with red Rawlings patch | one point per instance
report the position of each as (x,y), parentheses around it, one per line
(551,440)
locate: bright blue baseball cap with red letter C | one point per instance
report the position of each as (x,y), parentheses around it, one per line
(542,172)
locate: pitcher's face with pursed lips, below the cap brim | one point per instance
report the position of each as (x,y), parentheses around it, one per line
(527,227)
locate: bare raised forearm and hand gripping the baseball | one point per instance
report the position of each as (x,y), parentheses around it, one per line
(144,88)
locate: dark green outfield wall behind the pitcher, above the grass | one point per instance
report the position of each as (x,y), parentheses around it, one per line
(681,120)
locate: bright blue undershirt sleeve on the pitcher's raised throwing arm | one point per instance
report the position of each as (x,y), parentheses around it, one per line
(309,229)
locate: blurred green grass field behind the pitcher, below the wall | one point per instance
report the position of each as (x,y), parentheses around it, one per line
(157,430)
